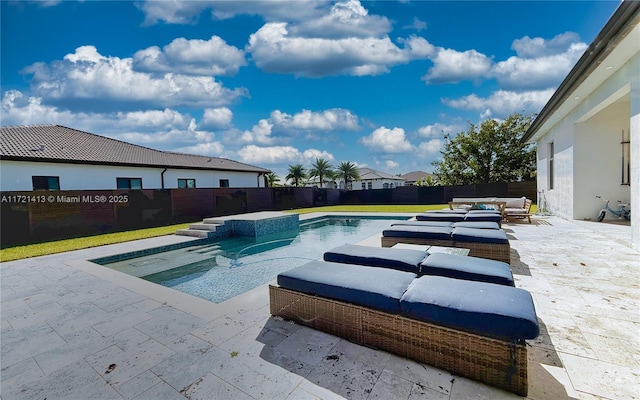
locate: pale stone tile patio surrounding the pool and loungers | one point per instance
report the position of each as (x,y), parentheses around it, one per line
(72,329)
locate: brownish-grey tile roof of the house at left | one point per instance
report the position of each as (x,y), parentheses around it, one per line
(55,143)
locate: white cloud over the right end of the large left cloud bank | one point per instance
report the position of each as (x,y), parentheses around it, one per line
(191,57)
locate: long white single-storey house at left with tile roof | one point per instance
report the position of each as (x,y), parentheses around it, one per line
(54,157)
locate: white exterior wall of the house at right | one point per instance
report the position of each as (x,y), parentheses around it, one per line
(588,151)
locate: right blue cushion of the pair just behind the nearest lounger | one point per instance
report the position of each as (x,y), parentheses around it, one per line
(469,268)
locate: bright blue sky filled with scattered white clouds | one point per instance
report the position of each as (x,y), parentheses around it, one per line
(276,83)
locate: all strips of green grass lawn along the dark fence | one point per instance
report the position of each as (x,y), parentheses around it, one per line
(60,246)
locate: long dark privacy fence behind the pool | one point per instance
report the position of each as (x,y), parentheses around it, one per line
(30,217)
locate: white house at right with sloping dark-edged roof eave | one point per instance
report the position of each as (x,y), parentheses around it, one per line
(588,134)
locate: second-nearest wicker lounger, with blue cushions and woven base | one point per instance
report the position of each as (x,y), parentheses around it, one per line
(484,243)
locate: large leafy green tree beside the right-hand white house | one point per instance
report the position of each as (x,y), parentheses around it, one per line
(489,153)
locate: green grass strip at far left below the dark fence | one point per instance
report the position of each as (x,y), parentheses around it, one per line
(60,246)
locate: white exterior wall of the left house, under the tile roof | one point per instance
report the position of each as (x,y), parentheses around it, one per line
(16,176)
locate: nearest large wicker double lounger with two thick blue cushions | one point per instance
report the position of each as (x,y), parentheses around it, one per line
(474,329)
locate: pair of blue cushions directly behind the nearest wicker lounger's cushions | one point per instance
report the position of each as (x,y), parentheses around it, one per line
(423,263)
